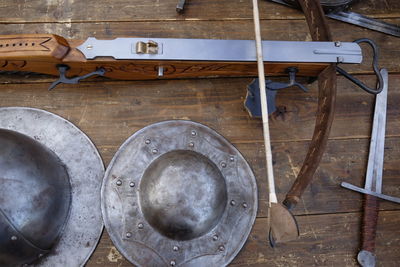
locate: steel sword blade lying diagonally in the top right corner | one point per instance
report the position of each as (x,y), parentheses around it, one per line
(365,22)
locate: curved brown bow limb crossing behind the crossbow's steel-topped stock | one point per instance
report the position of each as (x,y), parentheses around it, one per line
(326,105)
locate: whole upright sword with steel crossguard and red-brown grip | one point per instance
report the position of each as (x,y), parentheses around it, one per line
(373,181)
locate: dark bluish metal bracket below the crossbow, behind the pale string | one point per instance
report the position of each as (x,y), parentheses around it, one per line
(253,99)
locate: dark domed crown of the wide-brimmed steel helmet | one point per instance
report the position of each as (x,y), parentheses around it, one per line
(35,199)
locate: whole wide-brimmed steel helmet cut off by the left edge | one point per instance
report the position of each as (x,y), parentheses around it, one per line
(49,175)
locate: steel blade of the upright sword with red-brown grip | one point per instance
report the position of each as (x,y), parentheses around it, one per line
(373,181)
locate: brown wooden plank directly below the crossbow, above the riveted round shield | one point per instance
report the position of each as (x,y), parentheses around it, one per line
(203,98)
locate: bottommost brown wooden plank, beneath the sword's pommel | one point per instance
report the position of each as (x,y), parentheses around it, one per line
(326,240)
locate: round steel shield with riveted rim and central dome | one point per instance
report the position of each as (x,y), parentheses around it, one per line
(178,193)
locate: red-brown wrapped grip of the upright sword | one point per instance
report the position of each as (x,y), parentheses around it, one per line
(370,221)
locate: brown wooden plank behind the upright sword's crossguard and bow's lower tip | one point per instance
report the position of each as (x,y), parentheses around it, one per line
(344,160)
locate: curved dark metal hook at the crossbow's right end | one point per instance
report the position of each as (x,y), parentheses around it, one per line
(356,81)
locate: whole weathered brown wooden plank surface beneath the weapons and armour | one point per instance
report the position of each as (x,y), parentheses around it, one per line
(110,111)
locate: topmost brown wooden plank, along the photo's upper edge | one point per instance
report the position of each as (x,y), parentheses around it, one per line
(154,10)
